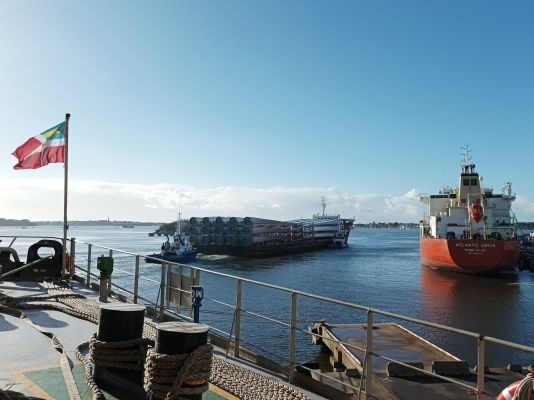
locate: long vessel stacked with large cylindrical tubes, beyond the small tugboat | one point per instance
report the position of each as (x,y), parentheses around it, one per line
(252,236)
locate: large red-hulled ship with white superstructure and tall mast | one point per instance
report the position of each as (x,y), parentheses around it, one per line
(470,228)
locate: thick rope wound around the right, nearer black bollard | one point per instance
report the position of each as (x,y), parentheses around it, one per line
(166,376)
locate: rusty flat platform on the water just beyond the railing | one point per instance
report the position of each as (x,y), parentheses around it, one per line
(389,383)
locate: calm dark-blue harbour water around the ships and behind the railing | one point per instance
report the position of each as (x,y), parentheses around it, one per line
(380,269)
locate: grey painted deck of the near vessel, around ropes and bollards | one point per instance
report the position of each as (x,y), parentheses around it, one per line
(30,364)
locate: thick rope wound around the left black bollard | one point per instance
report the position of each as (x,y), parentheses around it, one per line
(128,354)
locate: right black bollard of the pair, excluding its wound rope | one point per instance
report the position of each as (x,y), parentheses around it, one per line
(179,338)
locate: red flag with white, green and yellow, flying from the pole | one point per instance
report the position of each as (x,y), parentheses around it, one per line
(38,151)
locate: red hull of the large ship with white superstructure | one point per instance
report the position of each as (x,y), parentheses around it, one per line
(470,255)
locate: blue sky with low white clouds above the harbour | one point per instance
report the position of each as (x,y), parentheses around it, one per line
(260,108)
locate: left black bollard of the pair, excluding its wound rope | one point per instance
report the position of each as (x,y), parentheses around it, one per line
(120,322)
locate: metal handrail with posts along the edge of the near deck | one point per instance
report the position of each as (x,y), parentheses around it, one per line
(161,304)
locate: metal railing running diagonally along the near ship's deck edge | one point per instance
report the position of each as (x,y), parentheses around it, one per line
(161,305)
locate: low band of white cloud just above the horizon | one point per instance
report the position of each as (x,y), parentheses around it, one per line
(42,199)
